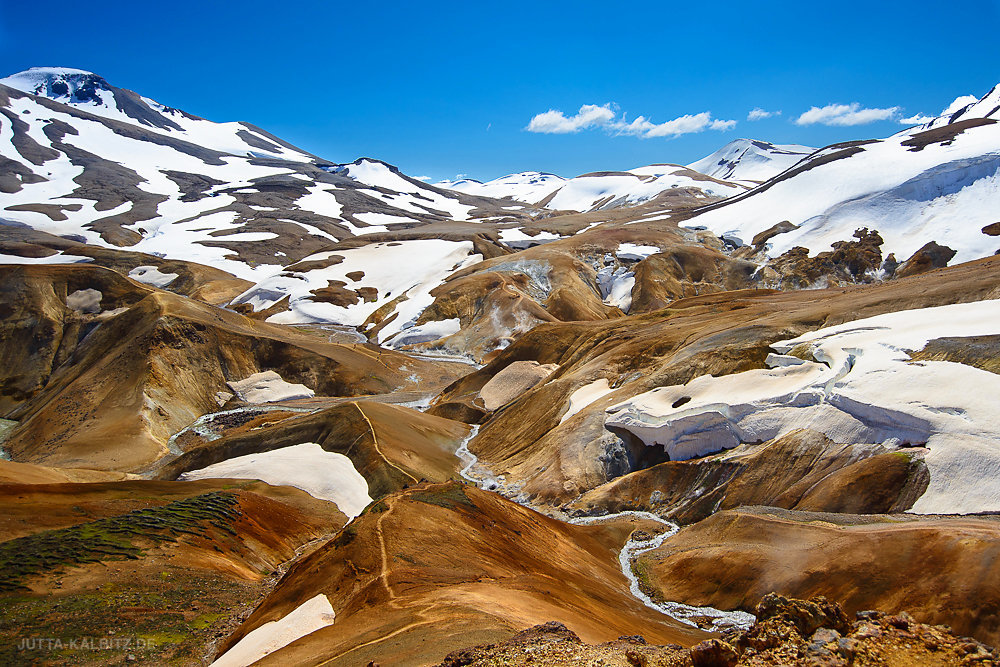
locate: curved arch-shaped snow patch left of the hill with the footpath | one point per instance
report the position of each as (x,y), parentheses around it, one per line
(321,474)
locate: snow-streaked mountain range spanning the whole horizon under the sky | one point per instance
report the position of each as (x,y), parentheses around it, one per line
(87,161)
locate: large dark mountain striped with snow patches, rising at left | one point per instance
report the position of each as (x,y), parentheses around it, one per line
(84,159)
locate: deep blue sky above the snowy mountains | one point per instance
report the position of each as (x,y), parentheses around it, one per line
(442,88)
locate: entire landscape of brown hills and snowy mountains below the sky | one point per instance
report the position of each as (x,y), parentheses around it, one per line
(788,355)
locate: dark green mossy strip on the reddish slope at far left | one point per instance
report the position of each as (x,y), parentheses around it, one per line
(114,538)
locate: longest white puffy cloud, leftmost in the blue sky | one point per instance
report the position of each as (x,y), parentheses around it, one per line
(606,117)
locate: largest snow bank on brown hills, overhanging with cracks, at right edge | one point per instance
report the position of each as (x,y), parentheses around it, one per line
(861,388)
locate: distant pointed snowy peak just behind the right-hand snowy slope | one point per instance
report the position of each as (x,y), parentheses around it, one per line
(750,160)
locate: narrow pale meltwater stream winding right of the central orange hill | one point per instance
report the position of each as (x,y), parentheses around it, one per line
(716,619)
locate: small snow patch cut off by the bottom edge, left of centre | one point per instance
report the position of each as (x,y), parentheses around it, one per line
(307,618)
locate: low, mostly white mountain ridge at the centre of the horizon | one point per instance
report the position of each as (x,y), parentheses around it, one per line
(598,190)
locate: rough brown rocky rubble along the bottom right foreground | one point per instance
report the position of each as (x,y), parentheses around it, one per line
(787,632)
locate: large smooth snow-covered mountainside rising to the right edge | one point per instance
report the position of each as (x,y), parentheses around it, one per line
(936,182)
